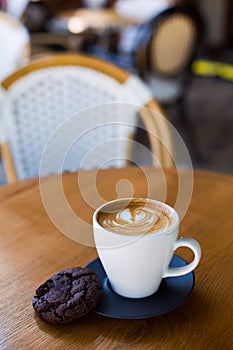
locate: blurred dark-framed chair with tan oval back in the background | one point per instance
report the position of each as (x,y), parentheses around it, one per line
(167,47)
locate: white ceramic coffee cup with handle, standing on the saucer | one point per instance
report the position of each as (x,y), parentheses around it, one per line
(136,263)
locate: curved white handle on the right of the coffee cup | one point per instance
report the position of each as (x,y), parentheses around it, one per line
(183,270)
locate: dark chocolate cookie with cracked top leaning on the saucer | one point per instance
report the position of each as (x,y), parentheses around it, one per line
(67,295)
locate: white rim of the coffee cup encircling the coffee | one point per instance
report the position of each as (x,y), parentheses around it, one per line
(127,199)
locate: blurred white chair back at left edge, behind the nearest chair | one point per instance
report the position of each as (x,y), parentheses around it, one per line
(14,44)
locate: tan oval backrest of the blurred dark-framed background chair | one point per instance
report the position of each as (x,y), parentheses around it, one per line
(170,42)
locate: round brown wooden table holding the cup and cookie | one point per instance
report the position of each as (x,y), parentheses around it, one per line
(32,249)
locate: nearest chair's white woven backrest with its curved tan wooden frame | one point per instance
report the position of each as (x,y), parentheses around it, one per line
(40,98)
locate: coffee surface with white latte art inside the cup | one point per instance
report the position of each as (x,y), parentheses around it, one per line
(137,217)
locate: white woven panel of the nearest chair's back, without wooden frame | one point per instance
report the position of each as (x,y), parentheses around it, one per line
(38,102)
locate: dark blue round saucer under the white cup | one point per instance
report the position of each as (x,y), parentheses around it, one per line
(172,292)
